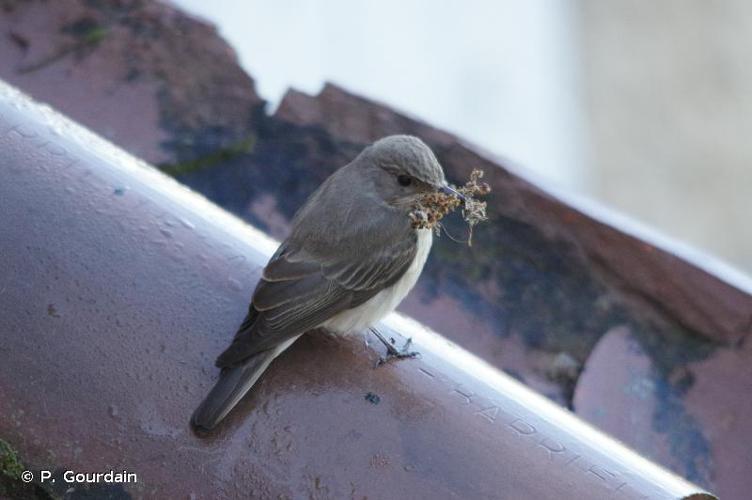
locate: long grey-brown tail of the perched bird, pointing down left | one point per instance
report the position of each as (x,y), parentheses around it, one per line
(234,382)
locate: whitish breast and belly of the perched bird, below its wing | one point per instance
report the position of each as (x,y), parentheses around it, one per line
(384,302)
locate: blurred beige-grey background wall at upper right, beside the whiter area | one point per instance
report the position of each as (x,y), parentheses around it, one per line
(668,101)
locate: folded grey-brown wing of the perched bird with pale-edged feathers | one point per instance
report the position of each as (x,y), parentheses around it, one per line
(300,289)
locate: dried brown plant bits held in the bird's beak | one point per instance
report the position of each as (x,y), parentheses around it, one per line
(432,207)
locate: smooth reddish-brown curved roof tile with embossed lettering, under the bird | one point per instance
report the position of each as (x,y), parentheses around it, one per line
(118,288)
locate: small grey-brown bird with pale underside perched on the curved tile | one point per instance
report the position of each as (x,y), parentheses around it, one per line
(350,259)
